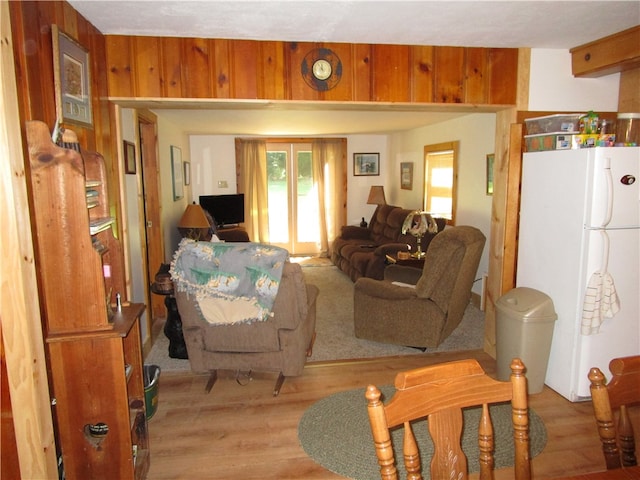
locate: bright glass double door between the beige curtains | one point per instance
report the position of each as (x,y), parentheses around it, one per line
(293,198)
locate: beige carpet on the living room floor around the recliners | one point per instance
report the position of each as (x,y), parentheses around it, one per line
(335,337)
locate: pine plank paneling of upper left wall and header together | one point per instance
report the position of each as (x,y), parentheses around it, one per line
(196,68)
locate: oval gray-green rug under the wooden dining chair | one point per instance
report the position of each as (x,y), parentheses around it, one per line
(335,433)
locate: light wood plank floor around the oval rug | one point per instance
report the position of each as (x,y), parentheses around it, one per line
(243,432)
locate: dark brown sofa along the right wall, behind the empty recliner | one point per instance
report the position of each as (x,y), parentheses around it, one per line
(361,251)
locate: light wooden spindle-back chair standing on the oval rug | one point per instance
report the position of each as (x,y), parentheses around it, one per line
(439,392)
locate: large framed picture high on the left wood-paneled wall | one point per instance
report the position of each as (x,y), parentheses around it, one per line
(71,79)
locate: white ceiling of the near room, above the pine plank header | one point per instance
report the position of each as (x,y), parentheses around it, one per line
(536,24)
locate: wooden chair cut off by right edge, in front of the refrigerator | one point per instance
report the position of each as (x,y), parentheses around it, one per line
(623,391)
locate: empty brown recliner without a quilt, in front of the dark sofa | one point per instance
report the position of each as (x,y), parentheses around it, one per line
(424,315)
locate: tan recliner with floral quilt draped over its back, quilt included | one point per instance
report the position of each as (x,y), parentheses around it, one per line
(228,321)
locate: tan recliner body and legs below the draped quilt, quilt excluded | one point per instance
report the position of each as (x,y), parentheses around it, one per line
(280,343)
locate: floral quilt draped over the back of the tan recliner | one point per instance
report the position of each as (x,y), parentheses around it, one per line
(232,282)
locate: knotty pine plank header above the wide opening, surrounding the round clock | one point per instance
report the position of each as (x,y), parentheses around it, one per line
(196,68)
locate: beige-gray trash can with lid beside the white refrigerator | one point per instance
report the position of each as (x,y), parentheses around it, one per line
(524,327)
